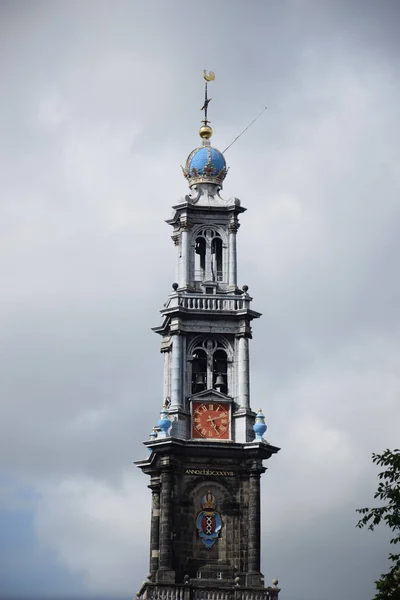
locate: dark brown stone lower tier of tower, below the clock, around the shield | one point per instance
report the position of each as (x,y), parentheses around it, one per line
(187,471)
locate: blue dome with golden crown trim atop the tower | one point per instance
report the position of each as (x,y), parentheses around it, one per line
(205,165)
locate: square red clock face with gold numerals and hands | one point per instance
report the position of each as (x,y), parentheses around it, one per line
(210,420)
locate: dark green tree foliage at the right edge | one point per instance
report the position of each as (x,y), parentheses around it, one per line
(388,492)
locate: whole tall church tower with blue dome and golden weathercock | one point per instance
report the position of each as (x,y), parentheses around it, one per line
(207,451)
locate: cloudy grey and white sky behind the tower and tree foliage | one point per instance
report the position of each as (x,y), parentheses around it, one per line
(99,107)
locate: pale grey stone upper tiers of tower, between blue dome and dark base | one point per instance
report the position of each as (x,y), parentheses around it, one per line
(207,315)
